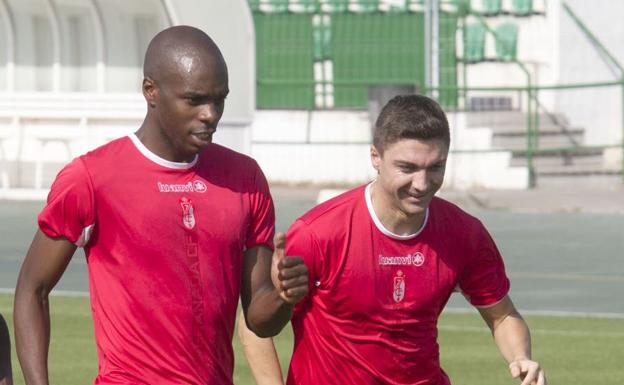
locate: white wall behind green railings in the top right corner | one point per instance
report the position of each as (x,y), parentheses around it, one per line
(598,110)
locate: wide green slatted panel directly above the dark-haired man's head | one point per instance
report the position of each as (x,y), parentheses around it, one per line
(373,49)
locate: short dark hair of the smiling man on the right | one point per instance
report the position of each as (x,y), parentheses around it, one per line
(410,117)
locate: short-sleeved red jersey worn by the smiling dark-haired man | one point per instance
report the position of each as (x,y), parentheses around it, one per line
(375,297)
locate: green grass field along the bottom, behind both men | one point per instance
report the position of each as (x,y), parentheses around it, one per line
(573,350)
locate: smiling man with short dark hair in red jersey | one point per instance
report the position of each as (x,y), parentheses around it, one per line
(384,259)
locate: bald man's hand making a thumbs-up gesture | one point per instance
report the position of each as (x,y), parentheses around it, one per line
(289,274)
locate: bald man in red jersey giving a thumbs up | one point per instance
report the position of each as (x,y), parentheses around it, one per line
(174,228)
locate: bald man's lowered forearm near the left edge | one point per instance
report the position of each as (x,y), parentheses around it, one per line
(32,335)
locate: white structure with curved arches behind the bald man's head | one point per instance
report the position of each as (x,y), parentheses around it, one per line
(41,130)
